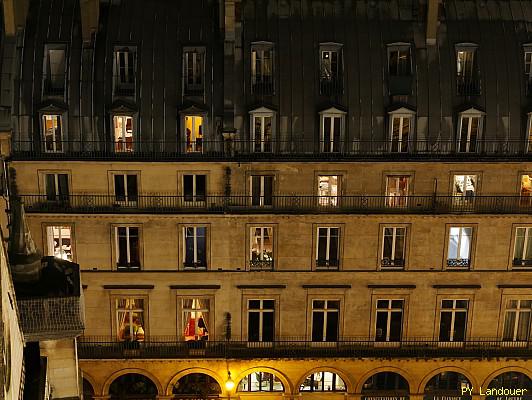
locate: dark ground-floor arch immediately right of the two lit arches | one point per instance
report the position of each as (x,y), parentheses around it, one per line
(386,386)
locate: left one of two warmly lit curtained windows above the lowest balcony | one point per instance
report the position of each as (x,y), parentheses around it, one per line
(130,321)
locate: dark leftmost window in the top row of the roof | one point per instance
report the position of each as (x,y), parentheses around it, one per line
(54,69)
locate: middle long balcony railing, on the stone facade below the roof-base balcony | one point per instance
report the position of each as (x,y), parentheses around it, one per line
(301,204)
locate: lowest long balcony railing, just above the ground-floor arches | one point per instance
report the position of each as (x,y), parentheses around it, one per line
(167,347)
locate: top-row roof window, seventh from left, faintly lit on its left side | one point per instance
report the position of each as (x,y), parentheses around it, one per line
(467,71)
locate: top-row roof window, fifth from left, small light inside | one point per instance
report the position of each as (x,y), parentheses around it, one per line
(331,69)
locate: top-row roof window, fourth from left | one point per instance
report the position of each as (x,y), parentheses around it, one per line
(262,61)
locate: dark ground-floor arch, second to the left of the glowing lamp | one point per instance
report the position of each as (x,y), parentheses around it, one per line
(133,387)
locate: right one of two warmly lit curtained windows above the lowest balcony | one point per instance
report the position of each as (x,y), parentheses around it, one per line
(196,313)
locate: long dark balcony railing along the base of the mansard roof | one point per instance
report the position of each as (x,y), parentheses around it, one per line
(171,150)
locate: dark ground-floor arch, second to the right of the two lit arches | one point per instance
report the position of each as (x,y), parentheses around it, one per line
(448,385)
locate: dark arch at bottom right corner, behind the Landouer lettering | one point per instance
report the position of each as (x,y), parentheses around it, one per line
(511,385)
